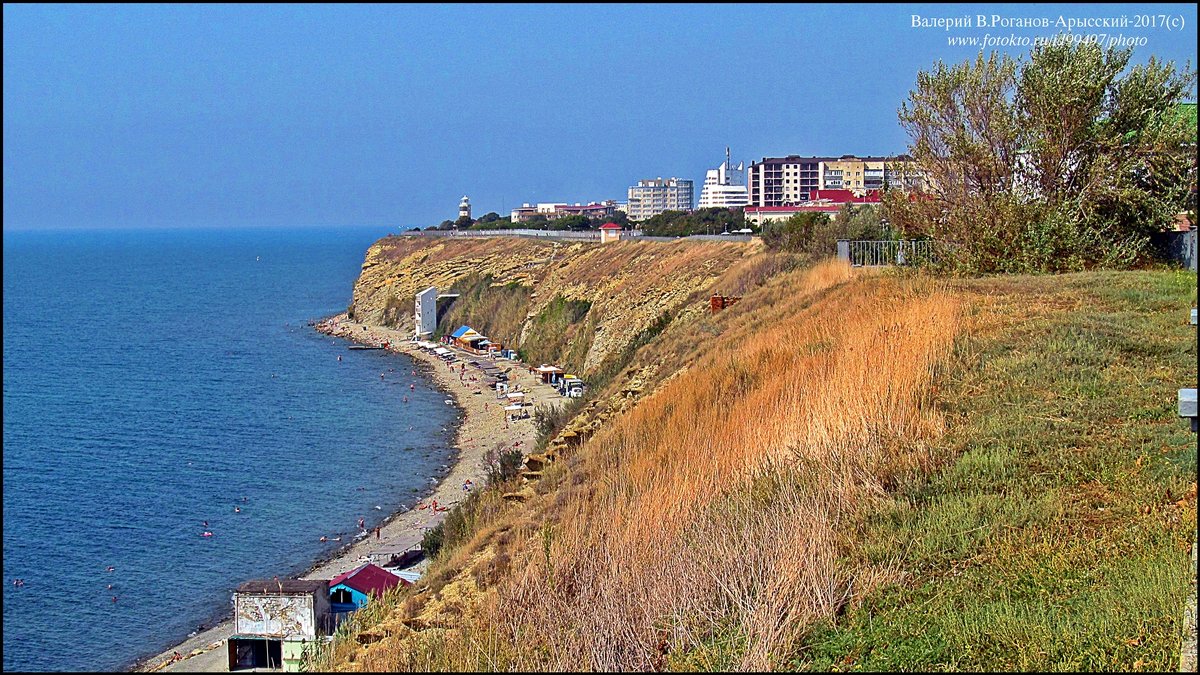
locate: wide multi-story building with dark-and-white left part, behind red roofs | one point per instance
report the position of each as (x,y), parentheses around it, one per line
(784,182)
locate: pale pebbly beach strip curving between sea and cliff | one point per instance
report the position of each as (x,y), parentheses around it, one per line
(481,427)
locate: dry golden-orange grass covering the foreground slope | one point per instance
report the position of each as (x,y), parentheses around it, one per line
(717,510)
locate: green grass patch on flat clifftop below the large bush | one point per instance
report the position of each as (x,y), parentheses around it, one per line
(1057,534)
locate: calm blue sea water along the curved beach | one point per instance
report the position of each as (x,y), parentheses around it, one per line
(152,381)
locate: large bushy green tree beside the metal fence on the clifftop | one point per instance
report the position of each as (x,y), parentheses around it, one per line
(1053,163)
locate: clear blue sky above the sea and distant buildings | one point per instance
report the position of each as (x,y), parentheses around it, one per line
(301,116)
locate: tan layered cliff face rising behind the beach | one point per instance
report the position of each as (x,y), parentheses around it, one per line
(616,291)
